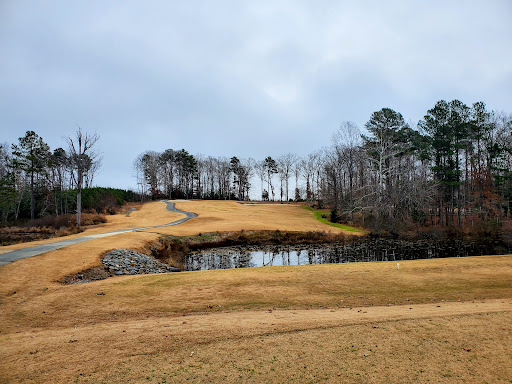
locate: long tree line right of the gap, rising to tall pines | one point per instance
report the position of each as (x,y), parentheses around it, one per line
(452,168)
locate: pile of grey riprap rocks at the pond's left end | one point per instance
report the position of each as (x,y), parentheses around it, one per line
(128,262)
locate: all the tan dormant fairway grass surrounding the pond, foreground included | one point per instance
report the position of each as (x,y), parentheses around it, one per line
(441,321)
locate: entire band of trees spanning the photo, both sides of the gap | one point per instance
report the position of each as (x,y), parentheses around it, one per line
(452,169)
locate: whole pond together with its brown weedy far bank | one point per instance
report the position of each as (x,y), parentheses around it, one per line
(210,251)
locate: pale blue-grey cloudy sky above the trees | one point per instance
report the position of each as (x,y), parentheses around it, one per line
(239,78)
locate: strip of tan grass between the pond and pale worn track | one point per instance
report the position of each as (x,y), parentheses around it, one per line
(288,287)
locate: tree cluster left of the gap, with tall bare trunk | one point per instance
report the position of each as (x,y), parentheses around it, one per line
(36,182)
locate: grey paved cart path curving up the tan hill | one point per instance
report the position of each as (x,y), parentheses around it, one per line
(9,257)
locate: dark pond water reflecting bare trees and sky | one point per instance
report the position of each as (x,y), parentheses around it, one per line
(362,251)
